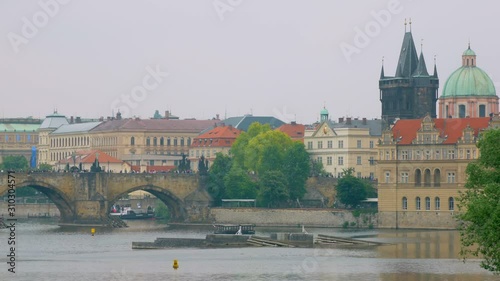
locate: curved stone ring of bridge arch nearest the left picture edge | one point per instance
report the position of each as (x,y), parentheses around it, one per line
(62,202)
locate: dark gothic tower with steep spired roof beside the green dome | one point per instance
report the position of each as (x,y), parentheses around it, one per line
(412,92)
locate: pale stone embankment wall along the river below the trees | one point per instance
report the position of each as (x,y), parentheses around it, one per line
(292,217)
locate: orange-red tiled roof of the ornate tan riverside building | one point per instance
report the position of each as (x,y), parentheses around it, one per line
(452,128)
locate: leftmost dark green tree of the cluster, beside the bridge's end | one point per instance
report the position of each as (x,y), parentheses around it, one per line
(219,169)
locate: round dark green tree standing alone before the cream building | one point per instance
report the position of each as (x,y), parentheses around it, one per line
(350,189)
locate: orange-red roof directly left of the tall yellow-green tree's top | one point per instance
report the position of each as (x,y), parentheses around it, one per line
(222,136)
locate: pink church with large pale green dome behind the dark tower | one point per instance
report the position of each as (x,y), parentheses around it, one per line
(468,92)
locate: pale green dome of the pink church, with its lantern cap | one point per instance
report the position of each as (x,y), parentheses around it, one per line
(468,81)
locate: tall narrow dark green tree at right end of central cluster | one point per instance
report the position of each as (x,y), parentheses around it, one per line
(296,169)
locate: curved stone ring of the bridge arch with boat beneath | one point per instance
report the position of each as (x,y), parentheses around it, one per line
(173,203)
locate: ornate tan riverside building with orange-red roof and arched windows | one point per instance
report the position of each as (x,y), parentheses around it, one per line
(421,169)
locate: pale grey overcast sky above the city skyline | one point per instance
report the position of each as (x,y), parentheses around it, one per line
(285,58)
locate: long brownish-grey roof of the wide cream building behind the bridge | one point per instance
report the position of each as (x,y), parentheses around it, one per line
(194,126)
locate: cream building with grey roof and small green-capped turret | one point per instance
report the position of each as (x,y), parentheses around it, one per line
(348,143)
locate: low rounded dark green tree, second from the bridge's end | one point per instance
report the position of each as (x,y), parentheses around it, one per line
(239,185)
